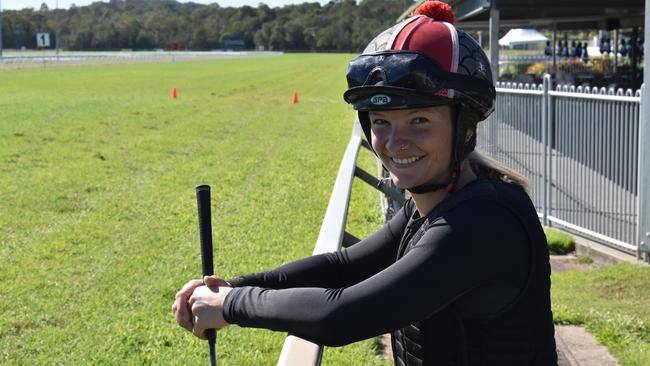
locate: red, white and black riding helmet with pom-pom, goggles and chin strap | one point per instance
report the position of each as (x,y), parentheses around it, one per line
(425,61)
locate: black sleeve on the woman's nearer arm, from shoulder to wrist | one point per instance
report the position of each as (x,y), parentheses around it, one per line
(453,257)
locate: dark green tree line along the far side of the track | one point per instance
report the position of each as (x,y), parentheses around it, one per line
(340,25)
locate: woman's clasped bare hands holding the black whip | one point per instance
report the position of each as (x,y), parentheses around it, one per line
(199,305)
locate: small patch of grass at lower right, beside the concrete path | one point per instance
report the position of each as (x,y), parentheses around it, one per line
(614,305)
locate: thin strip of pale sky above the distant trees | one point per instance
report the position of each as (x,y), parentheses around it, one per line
(36,4)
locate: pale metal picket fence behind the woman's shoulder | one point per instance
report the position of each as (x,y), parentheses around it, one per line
(592,162)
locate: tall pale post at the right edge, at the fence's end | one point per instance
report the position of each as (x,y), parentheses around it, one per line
(644,155)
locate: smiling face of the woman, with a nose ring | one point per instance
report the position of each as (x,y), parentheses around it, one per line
(414,144)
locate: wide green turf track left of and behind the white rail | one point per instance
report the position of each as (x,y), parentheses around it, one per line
(98,224)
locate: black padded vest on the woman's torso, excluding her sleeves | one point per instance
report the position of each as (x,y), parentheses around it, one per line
(520,335)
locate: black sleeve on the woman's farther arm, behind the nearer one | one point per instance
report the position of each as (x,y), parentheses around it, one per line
(336,269)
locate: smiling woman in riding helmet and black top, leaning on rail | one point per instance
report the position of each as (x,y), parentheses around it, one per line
(460,276)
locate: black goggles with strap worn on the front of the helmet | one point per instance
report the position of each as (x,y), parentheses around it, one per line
(399,79)
